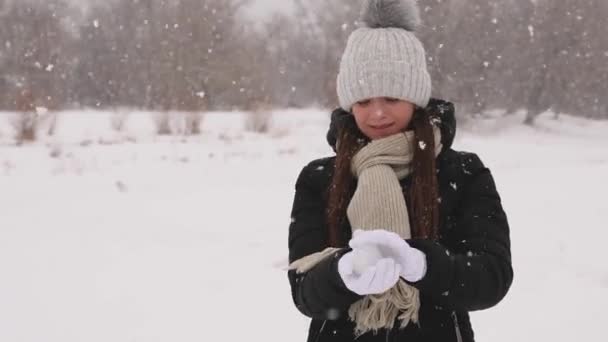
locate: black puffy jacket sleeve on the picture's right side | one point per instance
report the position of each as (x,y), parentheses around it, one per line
(475,273)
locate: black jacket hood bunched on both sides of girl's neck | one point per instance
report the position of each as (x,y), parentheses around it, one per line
(446,121)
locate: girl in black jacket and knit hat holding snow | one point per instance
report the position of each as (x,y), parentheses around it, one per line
(398,237)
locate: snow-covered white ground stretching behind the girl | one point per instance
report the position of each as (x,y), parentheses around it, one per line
(183,239)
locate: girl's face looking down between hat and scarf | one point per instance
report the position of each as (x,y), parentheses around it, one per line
(381,117)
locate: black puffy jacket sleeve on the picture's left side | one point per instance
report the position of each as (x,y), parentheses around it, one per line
(319,293)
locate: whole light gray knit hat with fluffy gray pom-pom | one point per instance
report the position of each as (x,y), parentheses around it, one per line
(384,58)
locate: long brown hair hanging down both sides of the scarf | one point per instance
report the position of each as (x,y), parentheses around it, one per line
(422,195)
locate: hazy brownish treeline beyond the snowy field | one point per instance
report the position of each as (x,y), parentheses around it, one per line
(197,55)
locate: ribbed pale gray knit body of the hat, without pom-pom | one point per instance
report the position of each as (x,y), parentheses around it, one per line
(383,62)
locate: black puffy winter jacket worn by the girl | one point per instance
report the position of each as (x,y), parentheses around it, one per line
(468,267)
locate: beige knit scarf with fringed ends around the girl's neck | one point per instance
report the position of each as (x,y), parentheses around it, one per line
(378,203)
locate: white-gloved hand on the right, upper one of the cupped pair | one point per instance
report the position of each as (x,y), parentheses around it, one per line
(391,245)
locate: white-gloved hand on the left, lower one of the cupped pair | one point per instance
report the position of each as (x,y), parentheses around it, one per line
(375,277)
